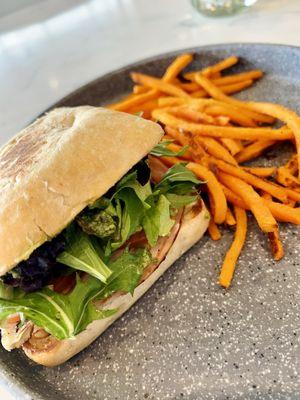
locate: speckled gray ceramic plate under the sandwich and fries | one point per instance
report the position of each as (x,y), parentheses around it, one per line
(187,338)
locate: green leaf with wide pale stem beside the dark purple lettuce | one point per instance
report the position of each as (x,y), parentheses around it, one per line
(81,254)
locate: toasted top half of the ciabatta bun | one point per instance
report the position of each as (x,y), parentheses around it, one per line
(57,166)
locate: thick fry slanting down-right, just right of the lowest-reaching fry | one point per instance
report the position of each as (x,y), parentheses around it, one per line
(261,212)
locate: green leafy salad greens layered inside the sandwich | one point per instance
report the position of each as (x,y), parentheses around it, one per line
(129,208)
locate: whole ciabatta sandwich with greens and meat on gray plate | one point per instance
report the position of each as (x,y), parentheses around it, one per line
(90,218)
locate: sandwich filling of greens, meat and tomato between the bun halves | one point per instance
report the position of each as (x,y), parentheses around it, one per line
(108,250)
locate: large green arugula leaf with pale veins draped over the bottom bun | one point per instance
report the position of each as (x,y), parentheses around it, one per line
(65,316)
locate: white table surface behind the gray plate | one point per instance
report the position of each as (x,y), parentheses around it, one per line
(48,48)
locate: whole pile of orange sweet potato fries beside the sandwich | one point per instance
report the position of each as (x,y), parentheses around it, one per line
(222,133)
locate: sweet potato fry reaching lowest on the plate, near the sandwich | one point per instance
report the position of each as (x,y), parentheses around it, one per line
(234,252)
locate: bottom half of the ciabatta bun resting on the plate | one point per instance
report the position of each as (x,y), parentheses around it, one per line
(193,225)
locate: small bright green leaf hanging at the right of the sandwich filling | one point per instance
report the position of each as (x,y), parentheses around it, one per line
(157,221)
